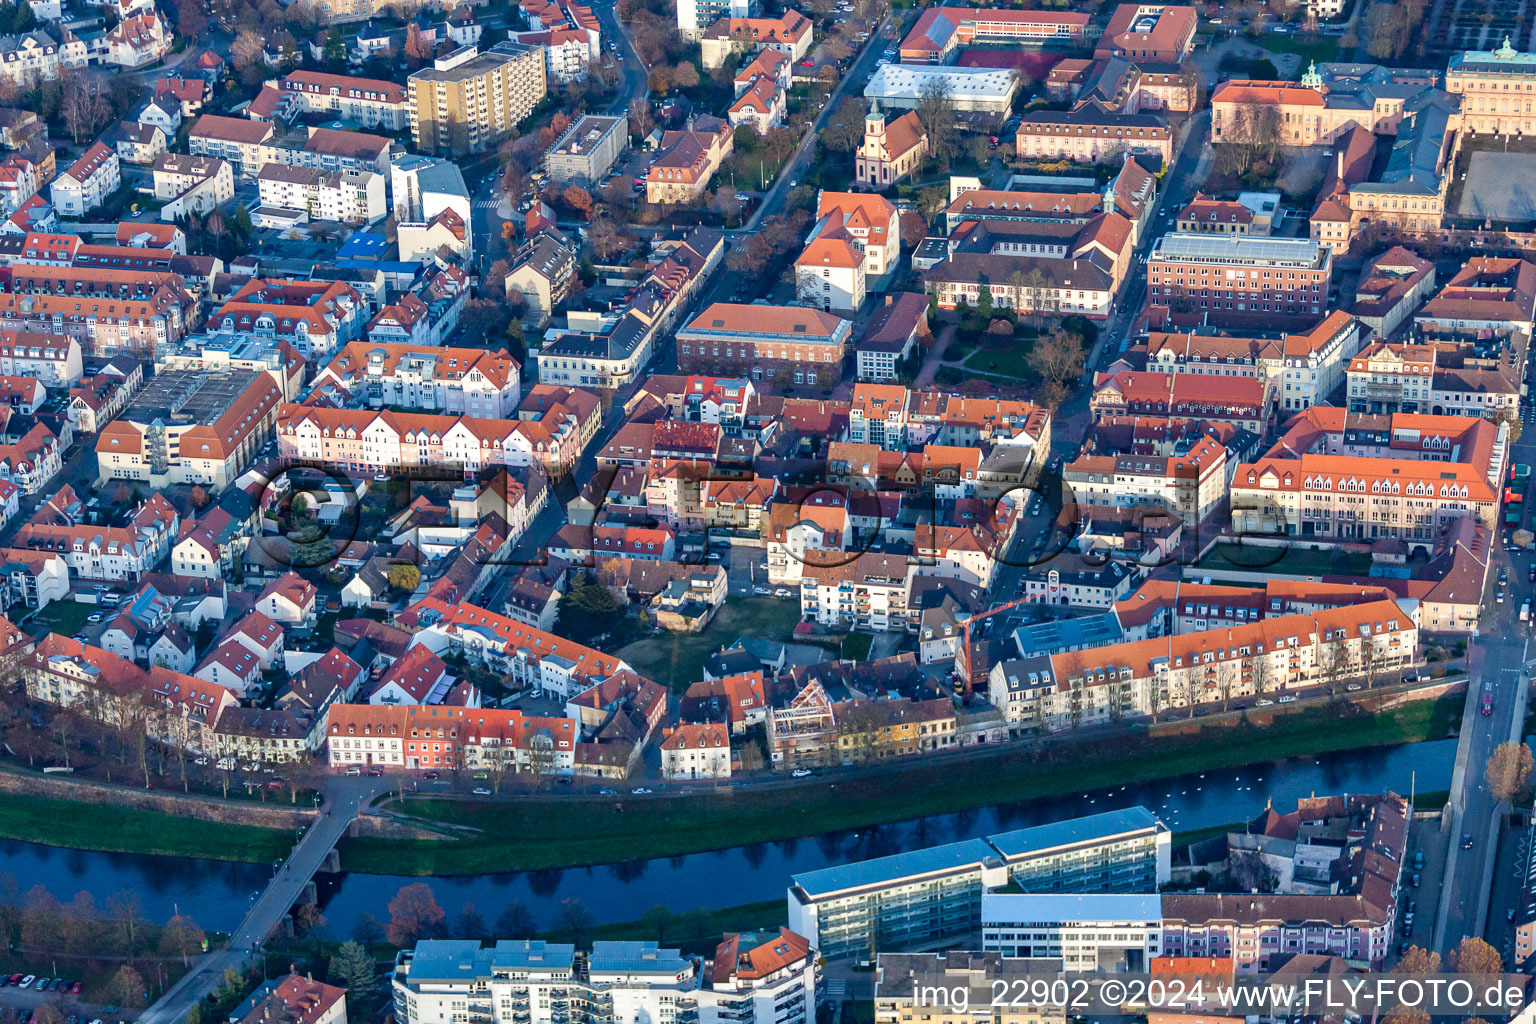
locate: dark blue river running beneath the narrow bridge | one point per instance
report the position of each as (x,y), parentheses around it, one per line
(217,893)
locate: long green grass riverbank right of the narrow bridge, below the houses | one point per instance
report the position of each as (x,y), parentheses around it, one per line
(532,834)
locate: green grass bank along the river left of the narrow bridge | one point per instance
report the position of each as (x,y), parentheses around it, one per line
(99,827)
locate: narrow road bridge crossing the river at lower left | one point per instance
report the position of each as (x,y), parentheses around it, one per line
(345,798)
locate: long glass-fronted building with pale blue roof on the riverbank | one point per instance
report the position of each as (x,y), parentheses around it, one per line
(935,894)
